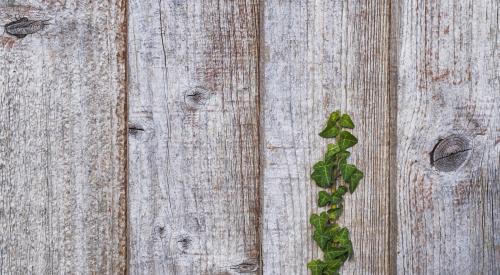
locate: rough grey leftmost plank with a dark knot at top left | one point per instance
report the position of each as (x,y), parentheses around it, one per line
(63,139)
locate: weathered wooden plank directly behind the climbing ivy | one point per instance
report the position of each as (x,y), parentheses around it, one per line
(320,56)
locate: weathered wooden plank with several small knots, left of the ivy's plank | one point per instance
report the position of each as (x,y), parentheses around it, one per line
(194,139)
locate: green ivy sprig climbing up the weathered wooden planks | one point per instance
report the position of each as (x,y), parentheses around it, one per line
(338,177)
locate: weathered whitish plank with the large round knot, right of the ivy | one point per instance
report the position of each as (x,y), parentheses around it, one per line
(448,88)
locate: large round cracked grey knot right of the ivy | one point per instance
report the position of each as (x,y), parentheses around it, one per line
(450,153)
